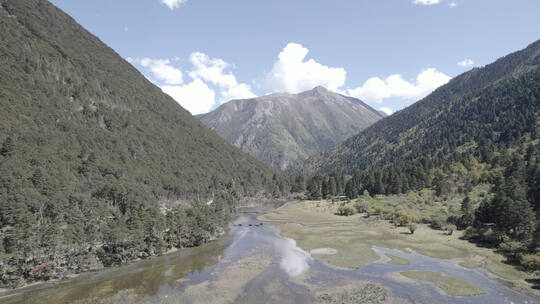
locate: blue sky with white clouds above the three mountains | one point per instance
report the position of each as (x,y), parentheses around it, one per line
(388,53)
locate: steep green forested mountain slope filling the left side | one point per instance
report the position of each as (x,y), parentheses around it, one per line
(89,149)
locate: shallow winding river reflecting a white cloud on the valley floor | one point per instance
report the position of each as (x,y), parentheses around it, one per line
(254,264)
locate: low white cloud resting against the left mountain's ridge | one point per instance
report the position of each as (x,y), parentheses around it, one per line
(196,97)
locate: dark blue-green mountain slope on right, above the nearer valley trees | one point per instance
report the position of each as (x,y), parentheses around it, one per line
(485,109)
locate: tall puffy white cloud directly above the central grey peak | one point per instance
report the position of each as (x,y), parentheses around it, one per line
(292,74)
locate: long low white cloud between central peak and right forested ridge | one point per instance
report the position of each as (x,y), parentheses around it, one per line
(376,89)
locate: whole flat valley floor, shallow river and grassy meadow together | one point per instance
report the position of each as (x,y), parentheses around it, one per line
(284,261)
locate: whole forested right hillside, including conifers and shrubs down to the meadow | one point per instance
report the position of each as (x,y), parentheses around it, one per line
(473,142)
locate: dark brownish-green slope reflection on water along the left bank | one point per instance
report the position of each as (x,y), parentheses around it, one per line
(134,281)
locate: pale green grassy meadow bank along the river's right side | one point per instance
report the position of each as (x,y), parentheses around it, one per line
(314,224)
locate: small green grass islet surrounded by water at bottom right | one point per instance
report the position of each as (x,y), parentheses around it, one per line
(448,284)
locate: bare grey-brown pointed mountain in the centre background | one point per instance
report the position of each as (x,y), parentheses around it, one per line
(282,129)
